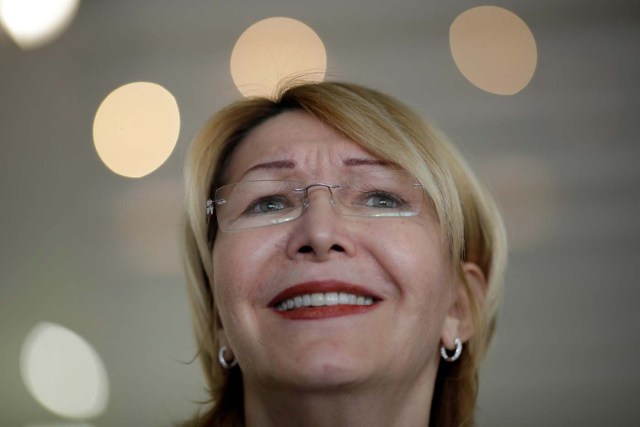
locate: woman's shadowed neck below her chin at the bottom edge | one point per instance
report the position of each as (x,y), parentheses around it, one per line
(402,405)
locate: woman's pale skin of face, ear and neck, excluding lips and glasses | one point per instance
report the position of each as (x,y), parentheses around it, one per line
(369,369)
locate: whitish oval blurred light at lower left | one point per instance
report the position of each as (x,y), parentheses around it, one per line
(63,372)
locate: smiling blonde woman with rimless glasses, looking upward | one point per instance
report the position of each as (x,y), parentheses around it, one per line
(344,264)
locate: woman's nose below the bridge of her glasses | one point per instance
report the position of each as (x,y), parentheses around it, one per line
(320,233)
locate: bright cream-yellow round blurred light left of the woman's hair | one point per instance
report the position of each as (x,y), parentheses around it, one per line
(136,128)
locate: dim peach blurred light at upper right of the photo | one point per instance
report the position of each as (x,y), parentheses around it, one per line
(494,49)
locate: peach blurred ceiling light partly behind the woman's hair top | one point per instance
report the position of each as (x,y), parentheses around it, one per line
(273,50)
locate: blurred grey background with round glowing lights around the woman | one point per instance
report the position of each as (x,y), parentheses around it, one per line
(542,96)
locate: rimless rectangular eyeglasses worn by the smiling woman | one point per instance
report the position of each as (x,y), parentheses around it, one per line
(373,194)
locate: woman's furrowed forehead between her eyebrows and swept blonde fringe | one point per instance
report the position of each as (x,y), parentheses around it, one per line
(296,137)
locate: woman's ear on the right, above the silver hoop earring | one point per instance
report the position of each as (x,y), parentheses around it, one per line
(459,321)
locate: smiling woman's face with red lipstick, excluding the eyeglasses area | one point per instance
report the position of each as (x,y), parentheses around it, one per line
(400,263)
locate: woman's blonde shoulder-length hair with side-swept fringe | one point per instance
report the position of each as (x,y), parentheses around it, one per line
(390,130)
